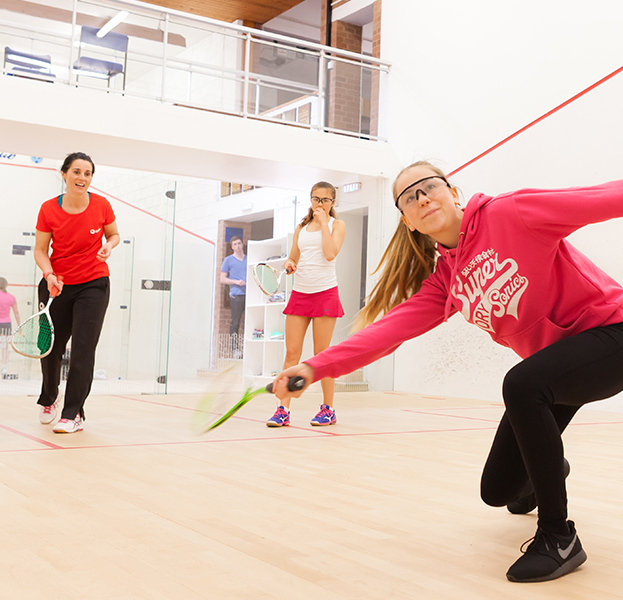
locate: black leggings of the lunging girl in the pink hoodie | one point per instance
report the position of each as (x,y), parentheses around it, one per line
(542,394)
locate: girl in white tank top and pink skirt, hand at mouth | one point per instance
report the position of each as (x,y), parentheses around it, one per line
(314,299)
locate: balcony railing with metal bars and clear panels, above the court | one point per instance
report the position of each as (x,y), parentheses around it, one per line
(202,63)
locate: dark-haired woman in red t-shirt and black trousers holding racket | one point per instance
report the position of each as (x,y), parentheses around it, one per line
(73,224)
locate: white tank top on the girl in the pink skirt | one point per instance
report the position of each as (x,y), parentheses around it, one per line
(314,273)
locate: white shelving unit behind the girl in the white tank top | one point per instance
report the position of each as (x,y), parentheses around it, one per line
(264,357)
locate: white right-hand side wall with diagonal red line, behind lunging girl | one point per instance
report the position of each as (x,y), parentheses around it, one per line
(466,75)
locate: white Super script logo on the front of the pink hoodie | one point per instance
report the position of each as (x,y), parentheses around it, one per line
(491,289)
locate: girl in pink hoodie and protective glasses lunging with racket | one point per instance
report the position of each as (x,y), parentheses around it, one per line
(505,264)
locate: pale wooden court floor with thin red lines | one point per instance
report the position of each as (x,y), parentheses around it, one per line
(383,505)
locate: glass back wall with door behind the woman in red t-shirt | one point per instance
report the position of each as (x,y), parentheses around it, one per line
(156,336)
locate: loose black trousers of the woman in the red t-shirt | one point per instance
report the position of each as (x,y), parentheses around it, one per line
(77,313)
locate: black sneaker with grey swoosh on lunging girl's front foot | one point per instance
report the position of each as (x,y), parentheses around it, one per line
(548,556)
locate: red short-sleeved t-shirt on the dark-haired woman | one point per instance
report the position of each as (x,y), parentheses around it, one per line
(76,239)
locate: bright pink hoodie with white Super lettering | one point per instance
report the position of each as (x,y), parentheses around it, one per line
(512,274)
